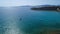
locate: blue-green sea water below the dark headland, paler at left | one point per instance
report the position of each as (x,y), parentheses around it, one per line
(23,20)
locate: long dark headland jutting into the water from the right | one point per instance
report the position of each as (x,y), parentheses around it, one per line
(47,7)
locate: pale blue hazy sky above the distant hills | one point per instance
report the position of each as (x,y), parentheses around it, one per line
(28,2)
